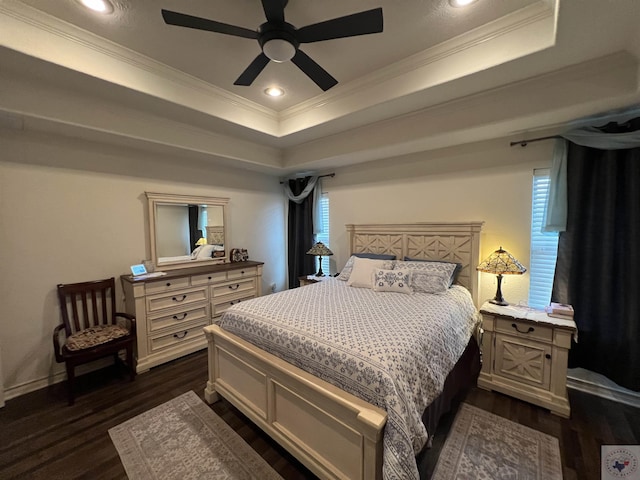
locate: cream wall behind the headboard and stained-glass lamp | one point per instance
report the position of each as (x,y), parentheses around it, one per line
(487,181)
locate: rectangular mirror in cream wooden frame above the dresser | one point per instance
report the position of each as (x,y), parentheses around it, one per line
(187,231)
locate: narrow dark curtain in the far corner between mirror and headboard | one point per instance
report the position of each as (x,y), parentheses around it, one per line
(300,234)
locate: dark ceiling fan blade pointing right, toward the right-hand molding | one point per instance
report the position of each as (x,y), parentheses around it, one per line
(362,23)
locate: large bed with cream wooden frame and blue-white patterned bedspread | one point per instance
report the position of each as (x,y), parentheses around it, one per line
(360,429)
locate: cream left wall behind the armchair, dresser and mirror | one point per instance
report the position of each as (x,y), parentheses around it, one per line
(73,211)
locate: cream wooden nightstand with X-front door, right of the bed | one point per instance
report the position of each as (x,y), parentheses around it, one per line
(524,354)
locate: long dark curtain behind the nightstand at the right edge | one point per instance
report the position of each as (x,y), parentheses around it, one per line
(598,267)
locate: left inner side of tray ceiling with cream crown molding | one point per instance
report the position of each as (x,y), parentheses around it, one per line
(35,33)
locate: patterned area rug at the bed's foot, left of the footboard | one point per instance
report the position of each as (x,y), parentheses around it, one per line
(184,439)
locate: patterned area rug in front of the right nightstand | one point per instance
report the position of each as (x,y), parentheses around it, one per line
(484,446)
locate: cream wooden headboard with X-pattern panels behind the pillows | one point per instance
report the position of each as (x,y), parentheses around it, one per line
(454,242)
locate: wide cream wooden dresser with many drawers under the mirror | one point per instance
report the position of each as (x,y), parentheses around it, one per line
(172,310)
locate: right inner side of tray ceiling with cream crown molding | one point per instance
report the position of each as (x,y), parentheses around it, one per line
(536,23)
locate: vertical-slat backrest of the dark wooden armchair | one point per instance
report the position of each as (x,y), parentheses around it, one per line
(87,304)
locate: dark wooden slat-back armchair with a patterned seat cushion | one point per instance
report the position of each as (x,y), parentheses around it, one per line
(92,328)
